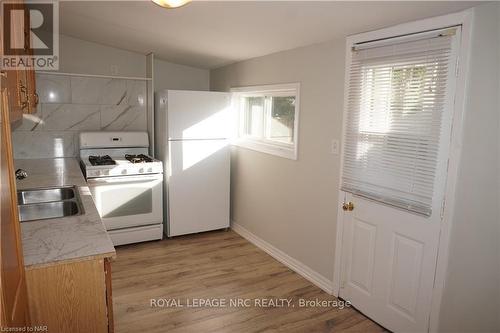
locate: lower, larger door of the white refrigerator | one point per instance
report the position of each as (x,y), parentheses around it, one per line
(198,186)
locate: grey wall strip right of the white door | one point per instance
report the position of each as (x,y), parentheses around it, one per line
(471,302)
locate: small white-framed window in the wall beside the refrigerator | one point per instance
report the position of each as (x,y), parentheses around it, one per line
(268,118)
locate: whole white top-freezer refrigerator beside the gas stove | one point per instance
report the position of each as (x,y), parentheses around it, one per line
(192,130)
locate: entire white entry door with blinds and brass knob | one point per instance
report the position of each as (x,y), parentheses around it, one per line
(394,166)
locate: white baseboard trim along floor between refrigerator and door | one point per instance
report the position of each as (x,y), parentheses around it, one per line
(295,265)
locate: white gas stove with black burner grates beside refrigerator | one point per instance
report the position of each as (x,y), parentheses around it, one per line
(126,184)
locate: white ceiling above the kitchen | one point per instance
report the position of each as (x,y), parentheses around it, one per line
(210,34)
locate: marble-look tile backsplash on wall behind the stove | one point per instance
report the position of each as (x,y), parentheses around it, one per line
(71,104)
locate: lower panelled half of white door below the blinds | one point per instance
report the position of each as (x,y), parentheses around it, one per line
(389,259)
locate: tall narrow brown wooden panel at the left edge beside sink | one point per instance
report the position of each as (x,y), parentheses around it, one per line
(14,303)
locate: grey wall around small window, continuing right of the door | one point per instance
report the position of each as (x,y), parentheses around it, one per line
(292,204)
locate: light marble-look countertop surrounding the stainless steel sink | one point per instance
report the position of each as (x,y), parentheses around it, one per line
(74,238)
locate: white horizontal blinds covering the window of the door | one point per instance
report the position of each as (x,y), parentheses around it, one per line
(397,95)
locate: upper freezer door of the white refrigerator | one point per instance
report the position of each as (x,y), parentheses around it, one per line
(198,115)
